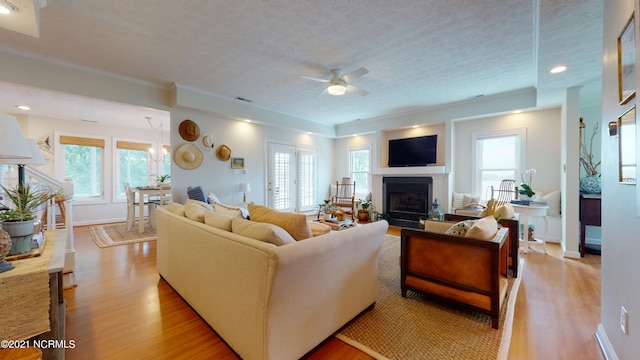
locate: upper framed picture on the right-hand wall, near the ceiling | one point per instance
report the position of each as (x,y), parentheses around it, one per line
(627,62)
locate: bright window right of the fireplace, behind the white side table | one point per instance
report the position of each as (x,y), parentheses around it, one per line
(498,157)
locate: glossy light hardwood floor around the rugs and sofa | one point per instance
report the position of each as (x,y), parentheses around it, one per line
(121,309)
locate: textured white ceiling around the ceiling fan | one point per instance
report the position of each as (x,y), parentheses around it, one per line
(420,53)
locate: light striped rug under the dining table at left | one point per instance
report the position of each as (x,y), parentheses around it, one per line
(117,234)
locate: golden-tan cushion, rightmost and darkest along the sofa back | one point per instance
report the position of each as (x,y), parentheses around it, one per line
(295,224)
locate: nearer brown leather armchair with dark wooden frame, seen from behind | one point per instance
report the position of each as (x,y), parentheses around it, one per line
(464,270)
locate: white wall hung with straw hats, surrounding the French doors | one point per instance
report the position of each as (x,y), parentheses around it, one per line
(248,141)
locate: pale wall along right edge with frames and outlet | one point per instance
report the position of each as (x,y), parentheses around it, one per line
(620,221)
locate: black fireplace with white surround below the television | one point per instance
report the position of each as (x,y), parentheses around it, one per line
(406,199)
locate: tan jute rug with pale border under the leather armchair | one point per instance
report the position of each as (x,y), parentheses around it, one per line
(416,327)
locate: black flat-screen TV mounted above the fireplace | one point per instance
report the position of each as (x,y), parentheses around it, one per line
(418,151)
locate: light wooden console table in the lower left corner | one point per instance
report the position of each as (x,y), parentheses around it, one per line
(19,324)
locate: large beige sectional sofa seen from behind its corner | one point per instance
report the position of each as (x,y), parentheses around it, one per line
(268,301)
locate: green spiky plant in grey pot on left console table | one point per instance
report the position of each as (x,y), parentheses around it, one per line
(20,221)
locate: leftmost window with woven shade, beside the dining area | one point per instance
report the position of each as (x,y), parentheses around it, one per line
(84,163)
